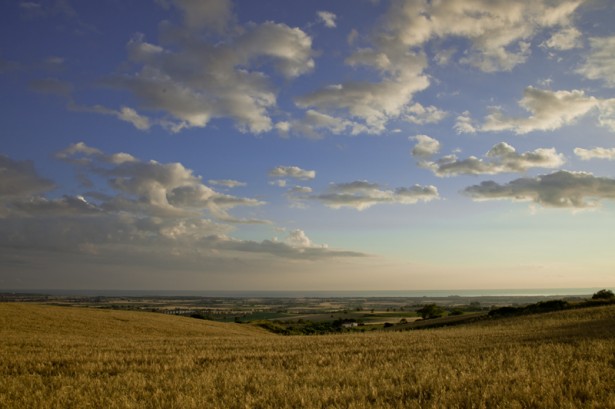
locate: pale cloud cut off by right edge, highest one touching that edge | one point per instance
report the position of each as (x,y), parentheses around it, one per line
(600,63)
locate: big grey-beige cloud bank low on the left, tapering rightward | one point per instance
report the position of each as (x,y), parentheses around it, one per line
(147,209)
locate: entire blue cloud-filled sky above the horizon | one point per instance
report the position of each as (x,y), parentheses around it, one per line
(307,144)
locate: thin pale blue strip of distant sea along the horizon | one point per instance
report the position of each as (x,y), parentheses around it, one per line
(314,293)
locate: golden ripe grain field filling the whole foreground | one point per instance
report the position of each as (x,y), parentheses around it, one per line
(61,357)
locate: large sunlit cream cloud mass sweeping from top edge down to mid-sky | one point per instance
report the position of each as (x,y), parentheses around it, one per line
(499,33)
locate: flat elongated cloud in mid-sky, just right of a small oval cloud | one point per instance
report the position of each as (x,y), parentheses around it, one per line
(362,195)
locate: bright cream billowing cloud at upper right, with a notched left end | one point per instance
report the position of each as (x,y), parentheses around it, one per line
(549,110)
